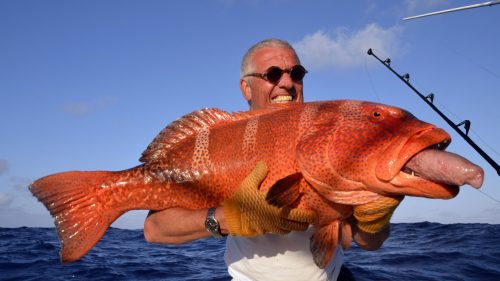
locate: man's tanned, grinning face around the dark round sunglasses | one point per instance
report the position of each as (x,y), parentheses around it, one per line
(261,92)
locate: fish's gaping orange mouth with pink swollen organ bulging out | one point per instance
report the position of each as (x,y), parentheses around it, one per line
(424,169)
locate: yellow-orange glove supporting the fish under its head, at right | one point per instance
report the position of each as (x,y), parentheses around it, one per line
(375,216)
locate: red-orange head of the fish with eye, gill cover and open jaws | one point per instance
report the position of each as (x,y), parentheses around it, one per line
(359,148)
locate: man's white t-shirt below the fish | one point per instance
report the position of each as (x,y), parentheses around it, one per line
(277,257)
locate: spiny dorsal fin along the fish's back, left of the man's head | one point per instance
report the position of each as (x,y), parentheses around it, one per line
(188,126)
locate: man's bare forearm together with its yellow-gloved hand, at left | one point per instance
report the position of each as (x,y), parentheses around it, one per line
(246,213)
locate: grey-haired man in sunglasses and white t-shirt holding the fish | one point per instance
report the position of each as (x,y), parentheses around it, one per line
(270,73)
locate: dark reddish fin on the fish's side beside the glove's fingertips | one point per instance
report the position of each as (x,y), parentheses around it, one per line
(285,191)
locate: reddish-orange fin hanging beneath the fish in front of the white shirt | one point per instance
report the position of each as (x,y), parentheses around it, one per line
(324,243)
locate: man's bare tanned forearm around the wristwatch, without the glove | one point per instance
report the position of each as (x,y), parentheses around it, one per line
(177,226)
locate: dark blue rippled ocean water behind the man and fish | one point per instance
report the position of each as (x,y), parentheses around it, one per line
(415,251)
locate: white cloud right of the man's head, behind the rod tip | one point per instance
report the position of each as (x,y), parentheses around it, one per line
(347,49)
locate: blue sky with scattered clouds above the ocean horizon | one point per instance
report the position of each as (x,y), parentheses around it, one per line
(86,85)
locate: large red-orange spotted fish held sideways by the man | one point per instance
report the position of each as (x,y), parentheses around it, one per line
(324,156)
